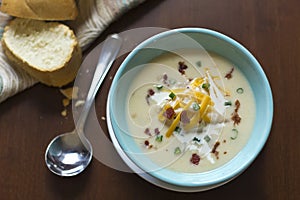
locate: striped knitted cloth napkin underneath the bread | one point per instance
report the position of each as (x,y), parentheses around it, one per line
(94,17)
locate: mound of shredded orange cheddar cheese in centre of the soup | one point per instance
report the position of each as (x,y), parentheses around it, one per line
(194,99)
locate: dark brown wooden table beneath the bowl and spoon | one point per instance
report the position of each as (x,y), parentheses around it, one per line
(268,28)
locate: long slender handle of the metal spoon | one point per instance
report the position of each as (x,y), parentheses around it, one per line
(109,52)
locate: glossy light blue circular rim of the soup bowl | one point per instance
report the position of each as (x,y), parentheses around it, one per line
(164,174)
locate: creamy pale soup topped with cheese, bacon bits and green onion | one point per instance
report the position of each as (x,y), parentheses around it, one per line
(190,112)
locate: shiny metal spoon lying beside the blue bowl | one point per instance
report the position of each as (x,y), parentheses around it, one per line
(70,153)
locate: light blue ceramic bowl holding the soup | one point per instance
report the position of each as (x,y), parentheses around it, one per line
(214,42)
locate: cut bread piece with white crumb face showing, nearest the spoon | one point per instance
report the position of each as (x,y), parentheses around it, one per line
(48,51)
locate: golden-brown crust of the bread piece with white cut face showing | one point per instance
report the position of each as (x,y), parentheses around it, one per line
(58,76)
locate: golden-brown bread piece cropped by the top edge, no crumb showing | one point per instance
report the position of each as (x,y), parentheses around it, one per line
(41,9)
